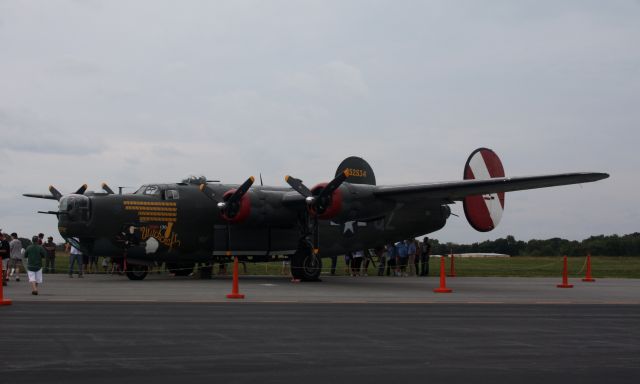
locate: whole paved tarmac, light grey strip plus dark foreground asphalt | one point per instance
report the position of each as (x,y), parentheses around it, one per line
(379,330)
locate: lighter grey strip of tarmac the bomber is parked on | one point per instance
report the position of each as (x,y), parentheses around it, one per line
(333,289)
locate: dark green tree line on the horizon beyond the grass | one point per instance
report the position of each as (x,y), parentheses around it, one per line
(601,245)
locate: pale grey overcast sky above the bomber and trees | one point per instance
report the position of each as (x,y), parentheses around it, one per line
(131,92)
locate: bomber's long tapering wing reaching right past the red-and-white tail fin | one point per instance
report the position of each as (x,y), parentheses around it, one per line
(457,190)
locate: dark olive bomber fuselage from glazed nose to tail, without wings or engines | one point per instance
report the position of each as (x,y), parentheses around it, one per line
(178,224)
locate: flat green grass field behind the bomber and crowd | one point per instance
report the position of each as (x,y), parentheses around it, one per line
(627,267)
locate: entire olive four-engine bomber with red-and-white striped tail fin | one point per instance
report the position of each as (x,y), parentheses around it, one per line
(201,221)
